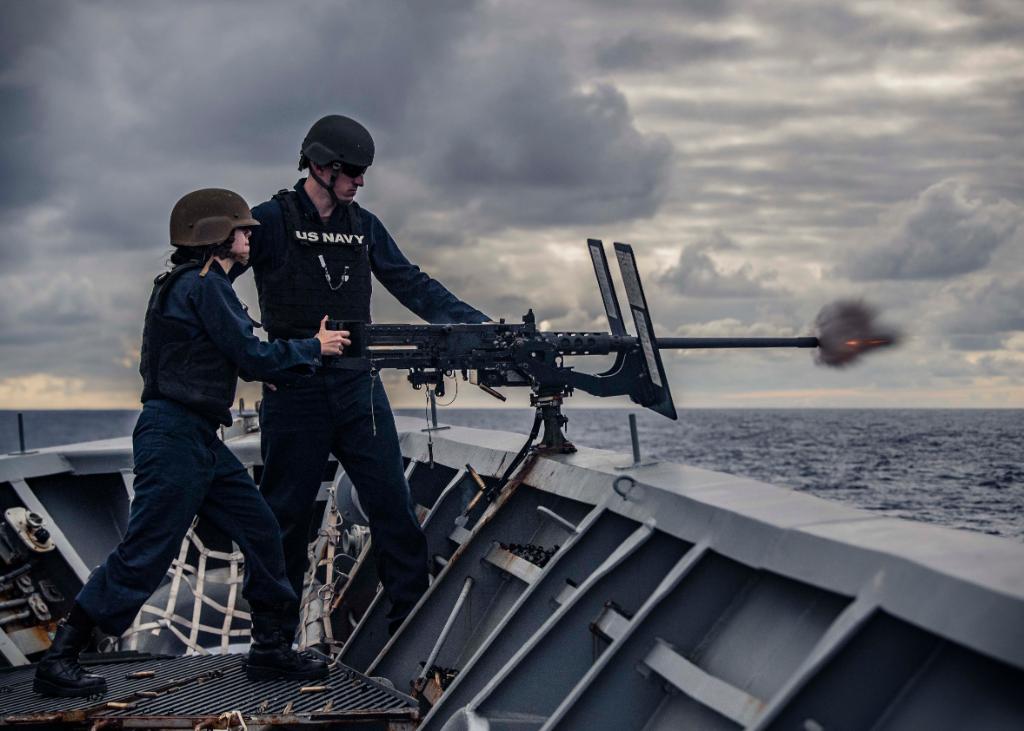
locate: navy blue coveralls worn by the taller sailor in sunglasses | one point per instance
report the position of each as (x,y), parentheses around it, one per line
(348,414)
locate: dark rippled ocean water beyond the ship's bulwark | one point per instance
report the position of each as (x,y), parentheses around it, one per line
(963,468)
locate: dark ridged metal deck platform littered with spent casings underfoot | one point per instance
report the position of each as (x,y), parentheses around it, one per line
(207,692)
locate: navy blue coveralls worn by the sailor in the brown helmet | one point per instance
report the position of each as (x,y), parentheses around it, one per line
(184,469)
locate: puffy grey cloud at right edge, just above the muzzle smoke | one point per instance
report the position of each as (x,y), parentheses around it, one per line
(947,232)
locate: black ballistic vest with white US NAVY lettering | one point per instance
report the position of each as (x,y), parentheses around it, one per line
(326,271)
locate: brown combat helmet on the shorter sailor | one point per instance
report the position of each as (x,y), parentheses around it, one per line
(209,217)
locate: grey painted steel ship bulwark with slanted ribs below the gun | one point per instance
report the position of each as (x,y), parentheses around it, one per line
(682,599)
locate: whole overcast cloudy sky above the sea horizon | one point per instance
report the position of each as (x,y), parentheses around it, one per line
(764,159)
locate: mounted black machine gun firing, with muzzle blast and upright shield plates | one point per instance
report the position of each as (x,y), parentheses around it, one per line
(498,355)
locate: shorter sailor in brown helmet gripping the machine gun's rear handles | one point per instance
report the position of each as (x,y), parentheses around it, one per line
(196,341)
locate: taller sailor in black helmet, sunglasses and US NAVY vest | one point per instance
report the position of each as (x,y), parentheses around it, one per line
(315,253)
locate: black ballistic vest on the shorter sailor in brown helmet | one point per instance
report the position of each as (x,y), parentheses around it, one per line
(179,366)
